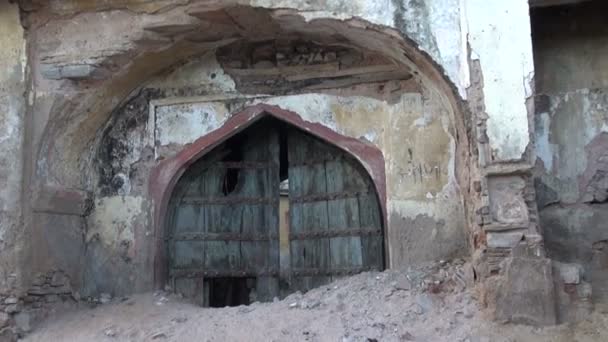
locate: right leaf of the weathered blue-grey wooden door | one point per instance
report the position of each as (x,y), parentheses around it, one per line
(335,218)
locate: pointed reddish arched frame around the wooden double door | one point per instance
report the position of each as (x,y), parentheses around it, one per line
(166,173)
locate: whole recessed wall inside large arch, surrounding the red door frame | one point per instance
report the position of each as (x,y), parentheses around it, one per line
(410,126)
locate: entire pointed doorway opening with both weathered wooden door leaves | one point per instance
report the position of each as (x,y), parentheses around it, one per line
(230,242)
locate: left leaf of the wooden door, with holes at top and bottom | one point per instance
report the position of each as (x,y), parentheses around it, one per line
(224,222)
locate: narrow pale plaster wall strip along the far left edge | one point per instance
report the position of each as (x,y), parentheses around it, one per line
(12,106)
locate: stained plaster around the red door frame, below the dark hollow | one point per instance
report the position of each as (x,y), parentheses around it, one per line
(414,131)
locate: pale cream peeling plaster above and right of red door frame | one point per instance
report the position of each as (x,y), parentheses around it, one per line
(414,133)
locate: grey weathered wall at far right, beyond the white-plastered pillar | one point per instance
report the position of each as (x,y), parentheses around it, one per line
(571,52)
